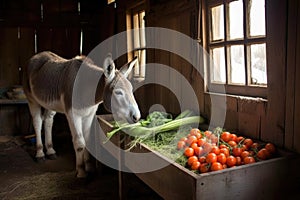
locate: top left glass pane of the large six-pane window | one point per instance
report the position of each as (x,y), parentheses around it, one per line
(217,23)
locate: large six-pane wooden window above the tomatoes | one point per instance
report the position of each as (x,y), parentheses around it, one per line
(236,42)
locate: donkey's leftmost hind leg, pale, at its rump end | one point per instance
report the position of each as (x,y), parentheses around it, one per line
(37,120)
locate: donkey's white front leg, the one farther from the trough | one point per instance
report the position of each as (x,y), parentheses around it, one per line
(75,124)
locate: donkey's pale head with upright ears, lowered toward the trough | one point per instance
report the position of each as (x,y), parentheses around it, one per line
(118,95)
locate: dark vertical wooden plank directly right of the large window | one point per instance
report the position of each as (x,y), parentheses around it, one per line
(276,51)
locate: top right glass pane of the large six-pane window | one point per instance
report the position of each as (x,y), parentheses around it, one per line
(257,17)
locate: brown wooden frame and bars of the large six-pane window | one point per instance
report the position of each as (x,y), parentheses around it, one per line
(247,89)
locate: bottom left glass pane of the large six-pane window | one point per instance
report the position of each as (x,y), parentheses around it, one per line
(218,73)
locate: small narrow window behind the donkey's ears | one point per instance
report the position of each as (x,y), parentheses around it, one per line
(137,40)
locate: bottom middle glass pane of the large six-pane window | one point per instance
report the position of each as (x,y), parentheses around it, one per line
(237,64)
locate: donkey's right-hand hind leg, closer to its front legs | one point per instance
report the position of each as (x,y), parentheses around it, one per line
(48,123)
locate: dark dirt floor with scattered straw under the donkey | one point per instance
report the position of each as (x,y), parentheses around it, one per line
(23,178)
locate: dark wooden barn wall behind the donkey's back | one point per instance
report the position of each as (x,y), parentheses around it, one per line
(56,24)
